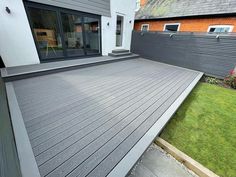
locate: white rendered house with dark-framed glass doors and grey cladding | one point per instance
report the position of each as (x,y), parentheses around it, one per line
(35,31)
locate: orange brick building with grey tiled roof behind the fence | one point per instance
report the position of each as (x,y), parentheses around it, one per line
(186,16)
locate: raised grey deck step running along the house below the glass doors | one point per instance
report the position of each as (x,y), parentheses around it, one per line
(19,72)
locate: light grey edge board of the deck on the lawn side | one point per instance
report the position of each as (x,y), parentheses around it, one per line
(126,164)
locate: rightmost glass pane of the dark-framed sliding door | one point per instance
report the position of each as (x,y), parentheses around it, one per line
(92,35)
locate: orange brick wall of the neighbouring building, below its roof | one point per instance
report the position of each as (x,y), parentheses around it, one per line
(193,25)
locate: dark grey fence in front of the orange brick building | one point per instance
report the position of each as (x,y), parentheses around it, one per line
(200,52)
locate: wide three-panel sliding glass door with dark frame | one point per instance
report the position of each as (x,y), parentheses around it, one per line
(62,33)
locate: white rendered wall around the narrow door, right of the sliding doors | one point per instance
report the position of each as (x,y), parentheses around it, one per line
(125,8)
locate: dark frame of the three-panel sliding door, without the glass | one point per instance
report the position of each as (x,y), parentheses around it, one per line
(58,11)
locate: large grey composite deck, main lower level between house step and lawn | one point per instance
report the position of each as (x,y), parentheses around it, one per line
(97,121)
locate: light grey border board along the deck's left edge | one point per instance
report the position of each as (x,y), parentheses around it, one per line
(25,153)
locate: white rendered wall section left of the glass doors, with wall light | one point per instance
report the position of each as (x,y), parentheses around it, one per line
(17,45)
